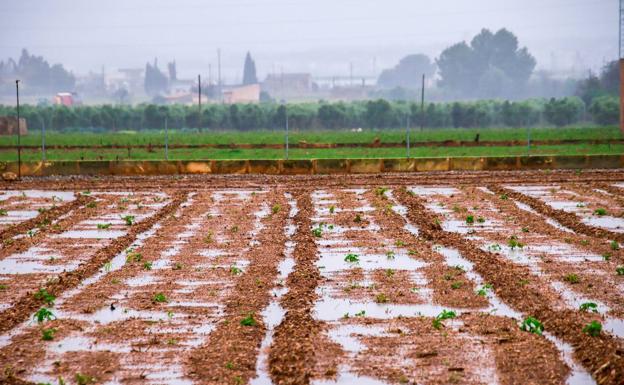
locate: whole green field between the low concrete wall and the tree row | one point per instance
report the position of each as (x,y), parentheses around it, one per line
(268,137)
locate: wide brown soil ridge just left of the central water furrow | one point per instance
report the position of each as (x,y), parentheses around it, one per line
(231,352)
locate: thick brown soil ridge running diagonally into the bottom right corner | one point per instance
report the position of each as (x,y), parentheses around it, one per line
(603,356)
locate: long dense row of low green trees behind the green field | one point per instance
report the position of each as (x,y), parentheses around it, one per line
(373,114)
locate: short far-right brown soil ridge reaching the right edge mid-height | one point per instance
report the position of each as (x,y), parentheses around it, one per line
(569,220)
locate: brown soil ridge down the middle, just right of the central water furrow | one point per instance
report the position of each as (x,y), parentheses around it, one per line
(292,354)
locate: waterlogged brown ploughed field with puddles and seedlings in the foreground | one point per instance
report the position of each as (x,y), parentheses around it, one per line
(437,280)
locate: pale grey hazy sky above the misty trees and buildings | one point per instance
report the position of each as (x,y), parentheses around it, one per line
(318,36)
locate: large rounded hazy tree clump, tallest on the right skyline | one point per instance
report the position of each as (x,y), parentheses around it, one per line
(492,63)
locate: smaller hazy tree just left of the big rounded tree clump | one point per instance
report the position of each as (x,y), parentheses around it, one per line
(408,72)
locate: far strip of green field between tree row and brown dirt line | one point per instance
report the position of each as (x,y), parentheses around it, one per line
(155,137)
